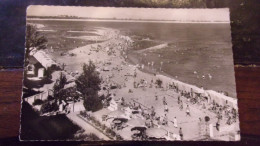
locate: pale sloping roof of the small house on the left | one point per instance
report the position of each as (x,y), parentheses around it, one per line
(44,59)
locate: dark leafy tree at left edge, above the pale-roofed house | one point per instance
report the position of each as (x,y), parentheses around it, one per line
(34,40)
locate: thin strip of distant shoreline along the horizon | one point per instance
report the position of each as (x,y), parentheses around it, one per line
(110,20)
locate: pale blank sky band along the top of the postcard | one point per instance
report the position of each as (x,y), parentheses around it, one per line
(211,15)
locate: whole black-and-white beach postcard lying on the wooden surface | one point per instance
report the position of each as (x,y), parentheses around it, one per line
(128,74)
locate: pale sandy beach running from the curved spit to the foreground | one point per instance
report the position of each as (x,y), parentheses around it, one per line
(110,59)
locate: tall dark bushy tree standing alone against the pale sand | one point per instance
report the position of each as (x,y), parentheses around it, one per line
(88,83)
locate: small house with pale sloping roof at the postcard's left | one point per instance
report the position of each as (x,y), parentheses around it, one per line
(39,63)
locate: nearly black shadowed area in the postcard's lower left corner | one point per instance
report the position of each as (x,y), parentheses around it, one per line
(35,127)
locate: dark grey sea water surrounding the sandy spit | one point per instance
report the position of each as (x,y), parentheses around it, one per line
(197,53)
